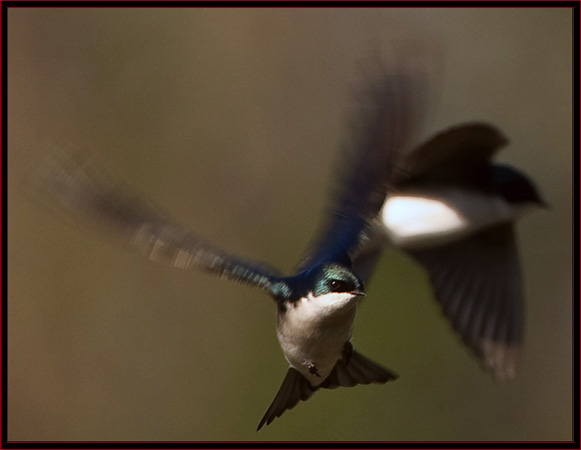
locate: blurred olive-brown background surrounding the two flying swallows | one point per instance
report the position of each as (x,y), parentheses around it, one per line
(231,120)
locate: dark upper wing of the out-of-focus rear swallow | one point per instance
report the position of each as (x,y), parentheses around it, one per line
(461,153)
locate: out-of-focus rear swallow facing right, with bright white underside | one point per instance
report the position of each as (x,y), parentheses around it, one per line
(452,210)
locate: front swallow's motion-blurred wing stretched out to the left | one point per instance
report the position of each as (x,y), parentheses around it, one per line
(77,188)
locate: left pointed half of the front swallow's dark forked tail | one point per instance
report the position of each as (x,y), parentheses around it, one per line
(294,388)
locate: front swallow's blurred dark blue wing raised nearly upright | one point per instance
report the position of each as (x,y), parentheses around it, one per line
(379,130)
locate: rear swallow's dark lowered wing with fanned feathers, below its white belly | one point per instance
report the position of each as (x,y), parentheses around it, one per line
(477,282)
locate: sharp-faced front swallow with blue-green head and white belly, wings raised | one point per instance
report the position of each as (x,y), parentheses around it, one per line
(315,307)
